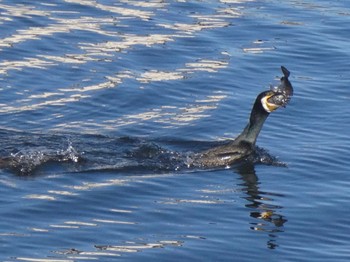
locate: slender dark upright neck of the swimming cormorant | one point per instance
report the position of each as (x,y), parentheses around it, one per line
(255,124)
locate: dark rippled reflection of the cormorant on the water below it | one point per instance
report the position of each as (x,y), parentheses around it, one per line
(267,216)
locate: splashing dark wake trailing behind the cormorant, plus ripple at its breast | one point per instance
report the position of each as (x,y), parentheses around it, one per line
(37,154)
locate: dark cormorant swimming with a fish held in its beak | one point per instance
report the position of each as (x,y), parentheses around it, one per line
(244,144)
